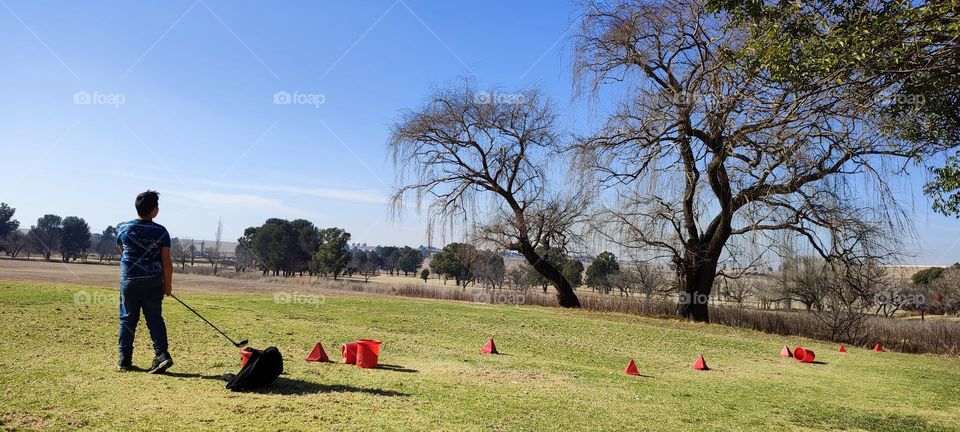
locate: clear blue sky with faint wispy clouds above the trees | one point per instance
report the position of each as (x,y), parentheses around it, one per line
(106,99)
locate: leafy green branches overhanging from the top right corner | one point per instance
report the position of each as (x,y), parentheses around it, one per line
(902,58)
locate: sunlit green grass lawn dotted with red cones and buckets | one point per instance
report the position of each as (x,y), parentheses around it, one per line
(561,370)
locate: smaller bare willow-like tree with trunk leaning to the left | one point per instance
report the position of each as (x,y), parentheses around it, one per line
(478,159)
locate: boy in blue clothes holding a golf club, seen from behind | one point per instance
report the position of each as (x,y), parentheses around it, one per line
(145,277)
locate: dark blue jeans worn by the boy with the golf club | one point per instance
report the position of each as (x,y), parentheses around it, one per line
(146,294)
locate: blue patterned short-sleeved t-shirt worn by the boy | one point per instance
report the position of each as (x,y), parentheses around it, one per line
(141,241)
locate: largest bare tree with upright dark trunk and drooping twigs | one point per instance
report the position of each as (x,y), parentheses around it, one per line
(703,146)
